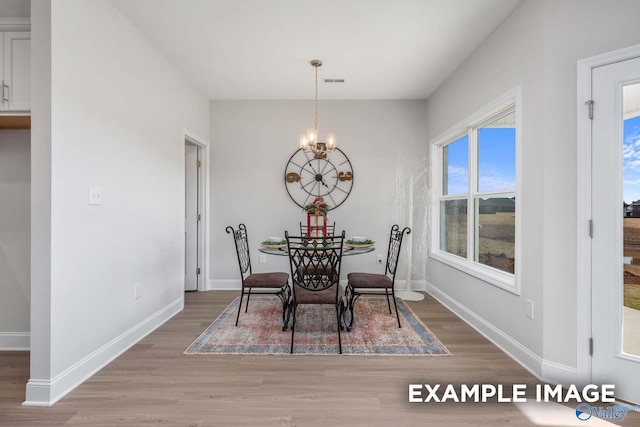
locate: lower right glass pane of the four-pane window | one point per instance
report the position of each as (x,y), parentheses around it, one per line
(496,232)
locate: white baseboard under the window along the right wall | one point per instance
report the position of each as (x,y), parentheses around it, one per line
(544,370)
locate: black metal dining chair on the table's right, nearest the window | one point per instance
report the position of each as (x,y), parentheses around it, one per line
(359,284)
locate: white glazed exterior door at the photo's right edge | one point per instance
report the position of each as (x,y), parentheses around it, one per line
(616,237)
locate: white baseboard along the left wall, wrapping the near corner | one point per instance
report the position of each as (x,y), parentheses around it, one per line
(46,392)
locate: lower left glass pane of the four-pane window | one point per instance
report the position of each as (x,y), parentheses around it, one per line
(453,227)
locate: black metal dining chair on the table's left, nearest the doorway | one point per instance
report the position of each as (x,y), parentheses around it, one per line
(275,283)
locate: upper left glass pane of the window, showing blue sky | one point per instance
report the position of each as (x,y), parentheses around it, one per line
(455,167)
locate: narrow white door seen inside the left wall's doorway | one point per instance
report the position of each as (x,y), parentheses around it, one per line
(192,218)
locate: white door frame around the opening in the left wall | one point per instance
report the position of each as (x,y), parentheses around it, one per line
(203,202)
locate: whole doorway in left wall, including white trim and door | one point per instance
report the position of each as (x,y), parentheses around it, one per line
(195,213)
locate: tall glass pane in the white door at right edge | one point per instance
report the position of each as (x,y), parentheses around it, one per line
(631,212)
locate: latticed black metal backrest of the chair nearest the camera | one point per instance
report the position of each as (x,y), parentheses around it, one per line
(315,262)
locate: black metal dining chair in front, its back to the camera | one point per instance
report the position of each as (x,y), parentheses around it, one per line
(315,274)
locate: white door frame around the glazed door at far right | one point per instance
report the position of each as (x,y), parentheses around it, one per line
(583,205)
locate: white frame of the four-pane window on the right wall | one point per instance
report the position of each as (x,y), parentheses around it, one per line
(511,101)
